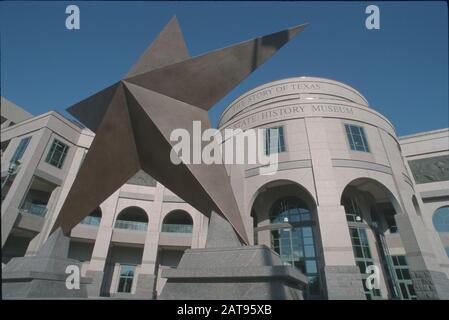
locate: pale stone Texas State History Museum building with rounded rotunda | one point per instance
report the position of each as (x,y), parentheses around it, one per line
(348,194)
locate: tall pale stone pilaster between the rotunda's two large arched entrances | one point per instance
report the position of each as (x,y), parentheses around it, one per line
(341,275)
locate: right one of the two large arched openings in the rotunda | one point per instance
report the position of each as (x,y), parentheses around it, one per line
(370,212)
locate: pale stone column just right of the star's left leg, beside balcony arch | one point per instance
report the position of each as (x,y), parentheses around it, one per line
(102,243)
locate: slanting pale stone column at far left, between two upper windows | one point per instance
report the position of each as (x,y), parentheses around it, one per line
(19,188)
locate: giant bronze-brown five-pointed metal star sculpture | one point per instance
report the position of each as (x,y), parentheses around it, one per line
(134,117)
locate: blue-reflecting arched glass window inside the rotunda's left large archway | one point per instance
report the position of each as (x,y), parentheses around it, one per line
(294,240)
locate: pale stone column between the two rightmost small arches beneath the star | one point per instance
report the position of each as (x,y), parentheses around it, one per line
(146,279)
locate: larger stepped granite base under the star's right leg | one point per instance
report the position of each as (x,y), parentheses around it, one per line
(238,273)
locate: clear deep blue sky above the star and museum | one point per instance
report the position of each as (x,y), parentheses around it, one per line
(402,69)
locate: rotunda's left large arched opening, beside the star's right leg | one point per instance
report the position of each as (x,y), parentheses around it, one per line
(284,216)
